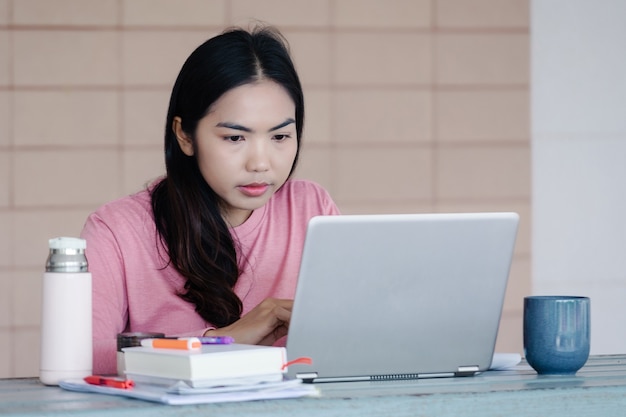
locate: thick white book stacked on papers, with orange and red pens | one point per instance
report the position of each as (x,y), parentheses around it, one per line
(201,373)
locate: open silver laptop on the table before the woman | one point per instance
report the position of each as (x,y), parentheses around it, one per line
(400,296)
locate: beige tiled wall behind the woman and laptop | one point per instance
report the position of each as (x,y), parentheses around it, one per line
(413,106)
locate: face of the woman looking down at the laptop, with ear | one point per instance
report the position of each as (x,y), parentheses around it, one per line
(245,146)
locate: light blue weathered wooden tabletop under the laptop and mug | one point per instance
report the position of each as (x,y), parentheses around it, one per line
(599,389)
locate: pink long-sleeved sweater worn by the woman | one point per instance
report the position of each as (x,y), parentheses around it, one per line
(133,292)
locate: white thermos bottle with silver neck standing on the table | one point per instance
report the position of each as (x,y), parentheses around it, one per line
(66,330)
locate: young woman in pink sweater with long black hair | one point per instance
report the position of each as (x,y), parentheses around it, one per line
(214,247)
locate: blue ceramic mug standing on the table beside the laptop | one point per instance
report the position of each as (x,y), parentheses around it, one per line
(556,333)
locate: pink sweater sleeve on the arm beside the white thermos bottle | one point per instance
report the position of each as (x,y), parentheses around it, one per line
(110,306)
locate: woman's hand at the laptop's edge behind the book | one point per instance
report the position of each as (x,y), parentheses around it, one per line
(263,325)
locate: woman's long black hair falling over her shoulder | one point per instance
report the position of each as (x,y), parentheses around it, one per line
(186,210)
